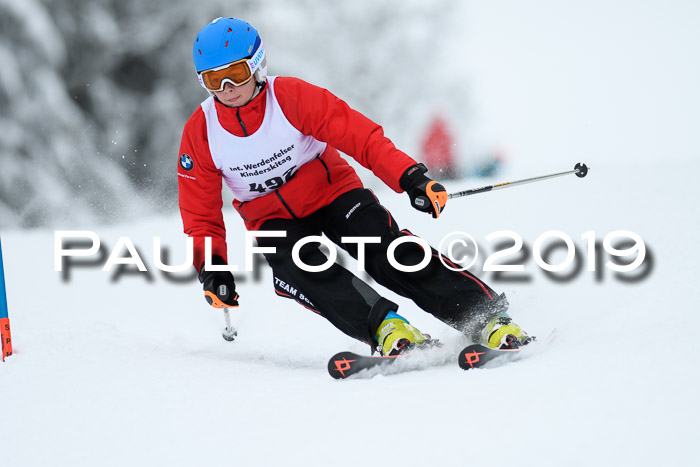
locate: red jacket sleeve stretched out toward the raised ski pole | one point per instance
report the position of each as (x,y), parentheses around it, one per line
(315,111)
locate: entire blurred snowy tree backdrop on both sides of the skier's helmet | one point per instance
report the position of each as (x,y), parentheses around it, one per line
(94,93)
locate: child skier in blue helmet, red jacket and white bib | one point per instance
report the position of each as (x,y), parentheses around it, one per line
(274,141)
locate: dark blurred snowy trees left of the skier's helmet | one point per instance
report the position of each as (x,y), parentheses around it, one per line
(91,103)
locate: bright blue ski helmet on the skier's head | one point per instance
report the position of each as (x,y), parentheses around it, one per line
(227,40)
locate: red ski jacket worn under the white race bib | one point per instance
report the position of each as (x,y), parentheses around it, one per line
(313,111)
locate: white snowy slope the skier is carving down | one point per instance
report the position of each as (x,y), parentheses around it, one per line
(136,371)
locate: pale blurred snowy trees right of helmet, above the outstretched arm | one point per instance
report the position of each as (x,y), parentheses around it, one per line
(391,59)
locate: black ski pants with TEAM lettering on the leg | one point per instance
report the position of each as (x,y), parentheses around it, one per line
(456,298)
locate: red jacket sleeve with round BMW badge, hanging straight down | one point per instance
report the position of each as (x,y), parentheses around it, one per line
(199,190)
